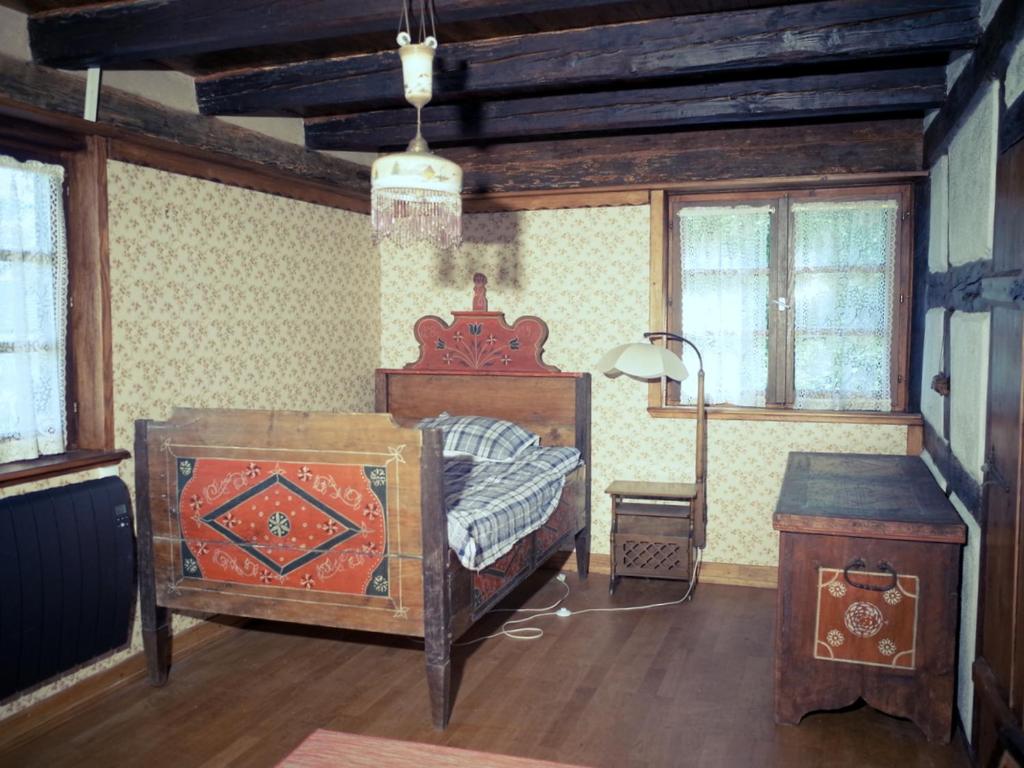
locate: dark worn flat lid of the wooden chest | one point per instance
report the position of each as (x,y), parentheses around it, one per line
(876,497)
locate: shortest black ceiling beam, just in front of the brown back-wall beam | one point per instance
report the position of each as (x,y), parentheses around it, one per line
(650,109)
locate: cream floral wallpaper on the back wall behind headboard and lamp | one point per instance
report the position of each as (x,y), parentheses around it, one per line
(586,273)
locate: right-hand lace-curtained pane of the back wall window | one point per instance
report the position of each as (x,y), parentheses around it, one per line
(844,263)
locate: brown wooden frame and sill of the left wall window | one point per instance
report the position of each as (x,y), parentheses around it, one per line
(90,358)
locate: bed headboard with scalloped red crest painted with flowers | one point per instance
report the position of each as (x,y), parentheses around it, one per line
(481,365)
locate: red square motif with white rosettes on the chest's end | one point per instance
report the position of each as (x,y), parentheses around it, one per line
(875,627)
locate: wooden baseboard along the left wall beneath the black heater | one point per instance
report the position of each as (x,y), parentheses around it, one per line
(63,706)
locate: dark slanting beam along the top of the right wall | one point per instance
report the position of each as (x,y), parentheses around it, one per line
(990,62)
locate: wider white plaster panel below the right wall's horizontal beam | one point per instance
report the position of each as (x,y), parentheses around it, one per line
(969,389)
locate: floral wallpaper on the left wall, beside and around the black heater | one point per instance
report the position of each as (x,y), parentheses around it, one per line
(224,297)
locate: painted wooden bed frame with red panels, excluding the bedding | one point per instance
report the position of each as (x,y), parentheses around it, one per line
(337,520)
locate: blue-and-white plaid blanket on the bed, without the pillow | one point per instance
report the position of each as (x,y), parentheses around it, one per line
(492,505)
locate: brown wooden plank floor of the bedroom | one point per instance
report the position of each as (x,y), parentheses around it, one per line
(689,686)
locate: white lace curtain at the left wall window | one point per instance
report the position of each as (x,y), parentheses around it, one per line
(33,310)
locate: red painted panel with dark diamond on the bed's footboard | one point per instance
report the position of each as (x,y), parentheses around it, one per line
(295,526)
